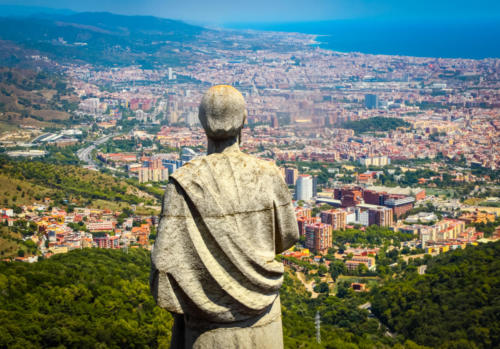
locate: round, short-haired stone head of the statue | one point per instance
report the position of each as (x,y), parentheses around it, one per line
(222,112)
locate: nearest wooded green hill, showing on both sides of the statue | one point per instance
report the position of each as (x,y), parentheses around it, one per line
(94,298)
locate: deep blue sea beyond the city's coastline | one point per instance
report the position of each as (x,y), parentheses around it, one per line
(427,38)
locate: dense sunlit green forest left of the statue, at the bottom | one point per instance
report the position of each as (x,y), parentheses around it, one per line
(84,299)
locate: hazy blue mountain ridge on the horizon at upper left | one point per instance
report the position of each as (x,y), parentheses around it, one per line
(103,38)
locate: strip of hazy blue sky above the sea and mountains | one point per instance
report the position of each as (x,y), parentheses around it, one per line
(233,11)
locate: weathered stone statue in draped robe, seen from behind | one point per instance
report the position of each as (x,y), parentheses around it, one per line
(224,218)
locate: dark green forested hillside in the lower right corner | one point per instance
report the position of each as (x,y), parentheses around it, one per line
(456,304)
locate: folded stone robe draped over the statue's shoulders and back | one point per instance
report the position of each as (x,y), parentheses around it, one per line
(224,218)
